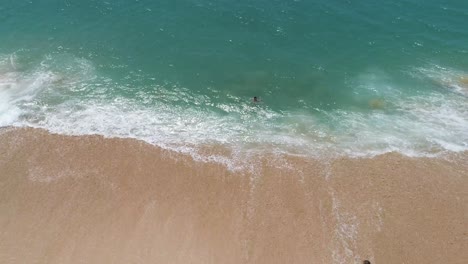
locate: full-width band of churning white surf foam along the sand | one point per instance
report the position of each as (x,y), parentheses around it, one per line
(77,101)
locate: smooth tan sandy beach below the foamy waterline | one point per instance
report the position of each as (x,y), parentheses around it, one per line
(89,199)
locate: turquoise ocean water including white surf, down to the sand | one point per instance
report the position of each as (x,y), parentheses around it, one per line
(335,77)
